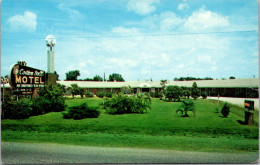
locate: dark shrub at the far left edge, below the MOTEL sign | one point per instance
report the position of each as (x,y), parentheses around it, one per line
(17,109)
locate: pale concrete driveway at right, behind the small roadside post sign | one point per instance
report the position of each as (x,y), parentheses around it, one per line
(238,101)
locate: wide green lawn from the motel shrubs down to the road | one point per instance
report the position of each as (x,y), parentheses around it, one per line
(159,128)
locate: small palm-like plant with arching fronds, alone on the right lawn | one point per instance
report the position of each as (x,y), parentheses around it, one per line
(186,106)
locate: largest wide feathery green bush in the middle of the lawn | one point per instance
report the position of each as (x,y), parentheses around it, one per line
(122,104)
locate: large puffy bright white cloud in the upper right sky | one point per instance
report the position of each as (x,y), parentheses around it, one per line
(205,20)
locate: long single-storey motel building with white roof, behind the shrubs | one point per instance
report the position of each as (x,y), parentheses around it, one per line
(244,88)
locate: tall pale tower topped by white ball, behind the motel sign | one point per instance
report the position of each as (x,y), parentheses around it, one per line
(51,77)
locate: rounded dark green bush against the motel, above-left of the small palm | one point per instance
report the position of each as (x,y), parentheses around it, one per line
(173,92)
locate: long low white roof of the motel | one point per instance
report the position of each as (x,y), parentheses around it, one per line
(229,83)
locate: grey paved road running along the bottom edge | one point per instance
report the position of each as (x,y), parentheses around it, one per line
(48,153)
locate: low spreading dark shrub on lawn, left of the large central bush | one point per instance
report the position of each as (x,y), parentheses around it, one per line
(80,112)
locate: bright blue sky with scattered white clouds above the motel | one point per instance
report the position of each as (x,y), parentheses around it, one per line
(139,39)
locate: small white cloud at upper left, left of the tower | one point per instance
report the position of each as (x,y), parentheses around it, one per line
(28,21)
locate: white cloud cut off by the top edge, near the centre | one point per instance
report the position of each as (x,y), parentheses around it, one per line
(142,7)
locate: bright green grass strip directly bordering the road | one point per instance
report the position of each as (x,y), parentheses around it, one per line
(182,143)
